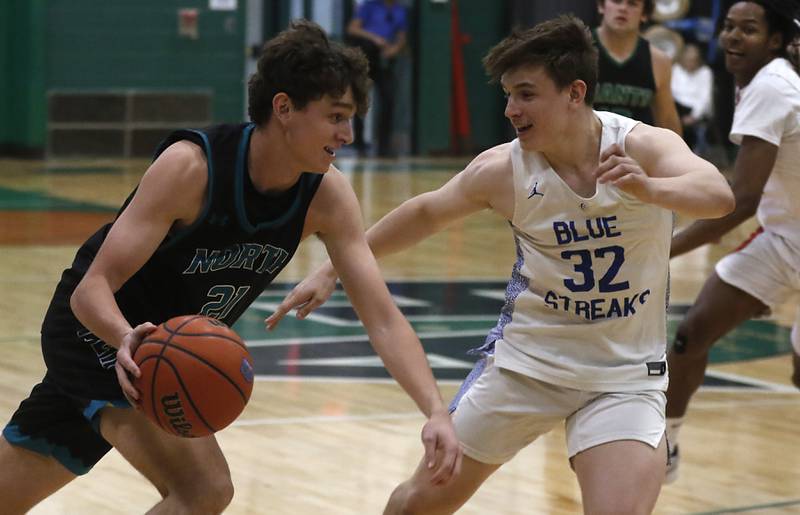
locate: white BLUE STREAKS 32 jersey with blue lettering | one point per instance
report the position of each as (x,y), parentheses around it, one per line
(586,303)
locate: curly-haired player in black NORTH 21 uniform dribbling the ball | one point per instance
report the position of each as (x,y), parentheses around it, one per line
(216,216)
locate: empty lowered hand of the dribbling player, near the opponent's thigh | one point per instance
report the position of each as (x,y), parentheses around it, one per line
(442,449)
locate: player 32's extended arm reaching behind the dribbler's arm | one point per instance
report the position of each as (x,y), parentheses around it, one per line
(475,188)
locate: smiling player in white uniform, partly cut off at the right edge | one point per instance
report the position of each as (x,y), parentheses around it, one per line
(765,271)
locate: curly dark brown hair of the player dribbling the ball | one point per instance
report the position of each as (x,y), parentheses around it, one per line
(303,63)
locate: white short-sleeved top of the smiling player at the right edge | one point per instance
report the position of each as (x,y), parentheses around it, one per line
(769,109)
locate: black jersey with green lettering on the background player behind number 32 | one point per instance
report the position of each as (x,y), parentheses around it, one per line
(626,87)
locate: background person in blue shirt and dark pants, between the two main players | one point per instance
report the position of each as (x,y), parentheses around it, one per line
(379,28)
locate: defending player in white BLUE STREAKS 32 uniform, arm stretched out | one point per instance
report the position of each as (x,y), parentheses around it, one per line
(582,337)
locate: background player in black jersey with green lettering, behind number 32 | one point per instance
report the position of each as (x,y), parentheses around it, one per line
(634,76)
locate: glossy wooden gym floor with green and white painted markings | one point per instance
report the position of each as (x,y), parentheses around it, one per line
(325,432)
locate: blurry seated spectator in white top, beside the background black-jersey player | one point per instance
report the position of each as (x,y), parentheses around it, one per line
(692,85)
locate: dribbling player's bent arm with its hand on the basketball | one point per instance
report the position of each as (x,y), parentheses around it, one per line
(171,190)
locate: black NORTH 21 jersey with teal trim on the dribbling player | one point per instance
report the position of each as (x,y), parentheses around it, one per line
(217,266)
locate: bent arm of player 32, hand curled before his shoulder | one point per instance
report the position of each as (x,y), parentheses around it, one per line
(657,167)
